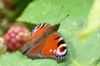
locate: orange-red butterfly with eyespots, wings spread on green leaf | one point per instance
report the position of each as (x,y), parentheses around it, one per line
(46,42)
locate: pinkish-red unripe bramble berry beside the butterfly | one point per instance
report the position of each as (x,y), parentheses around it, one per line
(16,37)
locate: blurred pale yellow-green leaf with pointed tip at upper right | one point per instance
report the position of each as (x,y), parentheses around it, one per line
(93,21)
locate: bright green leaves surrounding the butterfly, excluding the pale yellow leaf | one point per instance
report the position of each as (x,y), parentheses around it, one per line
(80,52)
